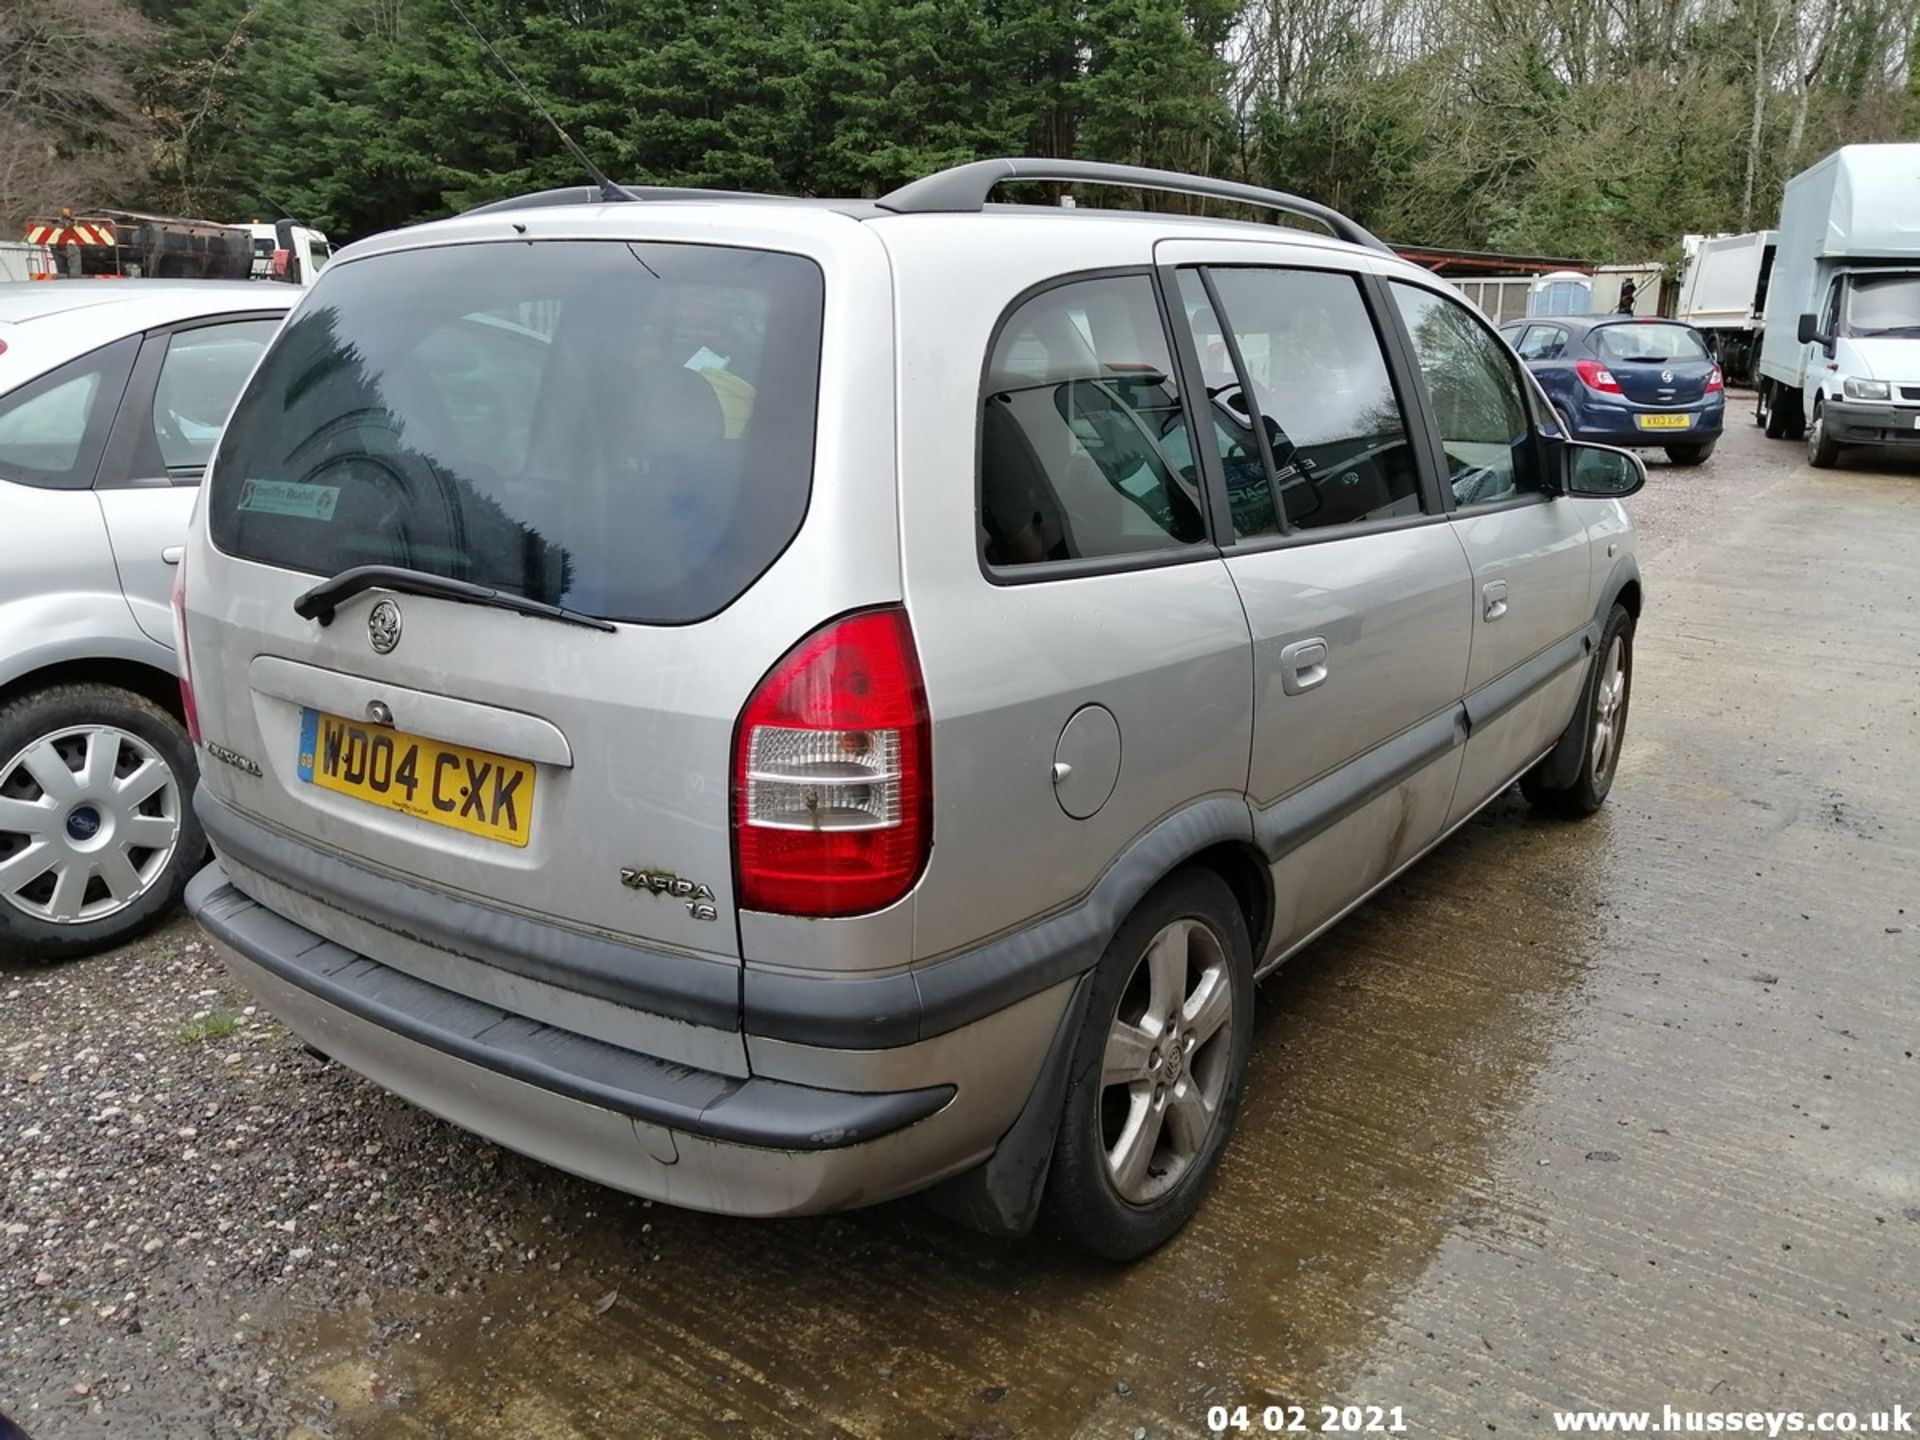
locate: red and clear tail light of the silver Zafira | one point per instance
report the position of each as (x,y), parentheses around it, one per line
(832,773)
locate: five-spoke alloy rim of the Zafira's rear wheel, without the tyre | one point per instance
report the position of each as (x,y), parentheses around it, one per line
(1166,1063)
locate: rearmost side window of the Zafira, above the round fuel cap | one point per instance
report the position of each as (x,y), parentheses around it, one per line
(1084,443)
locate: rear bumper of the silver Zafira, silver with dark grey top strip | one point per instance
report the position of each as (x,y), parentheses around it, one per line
(667,1132)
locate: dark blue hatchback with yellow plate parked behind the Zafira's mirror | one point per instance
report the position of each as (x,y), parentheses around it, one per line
(1625,381)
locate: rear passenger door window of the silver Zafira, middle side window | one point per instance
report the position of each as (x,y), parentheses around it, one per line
(1312,372)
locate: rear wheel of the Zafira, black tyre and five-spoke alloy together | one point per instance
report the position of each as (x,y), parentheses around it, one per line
(1157,1070)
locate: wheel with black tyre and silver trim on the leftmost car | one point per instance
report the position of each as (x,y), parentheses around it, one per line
(97,786)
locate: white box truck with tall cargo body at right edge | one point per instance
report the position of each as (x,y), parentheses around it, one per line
(1840,356)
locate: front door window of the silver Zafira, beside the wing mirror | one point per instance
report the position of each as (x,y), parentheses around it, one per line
(1476,396)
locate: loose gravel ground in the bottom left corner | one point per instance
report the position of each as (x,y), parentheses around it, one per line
(183,1182)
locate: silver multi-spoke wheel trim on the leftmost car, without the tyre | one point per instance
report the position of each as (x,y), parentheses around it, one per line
(89,823)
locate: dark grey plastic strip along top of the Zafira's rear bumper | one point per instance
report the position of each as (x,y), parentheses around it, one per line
(754,1113)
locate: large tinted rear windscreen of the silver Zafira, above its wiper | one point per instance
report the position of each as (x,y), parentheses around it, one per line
(623,429)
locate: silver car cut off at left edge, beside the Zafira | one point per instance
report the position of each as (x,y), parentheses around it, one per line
(112,396)
